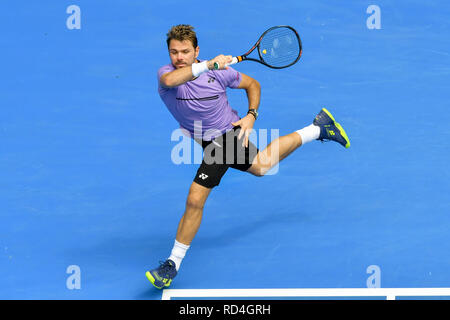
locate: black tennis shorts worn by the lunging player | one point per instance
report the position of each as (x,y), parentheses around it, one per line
(222,153)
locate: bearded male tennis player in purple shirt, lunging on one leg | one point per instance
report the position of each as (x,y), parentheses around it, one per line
(195,95)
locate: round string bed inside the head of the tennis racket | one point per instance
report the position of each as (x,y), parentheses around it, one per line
(279,47)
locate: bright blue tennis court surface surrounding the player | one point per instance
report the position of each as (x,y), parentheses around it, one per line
(87,179)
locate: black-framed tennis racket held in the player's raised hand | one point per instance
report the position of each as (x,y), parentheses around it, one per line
(278,47)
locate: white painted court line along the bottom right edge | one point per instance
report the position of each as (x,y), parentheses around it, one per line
(389,293)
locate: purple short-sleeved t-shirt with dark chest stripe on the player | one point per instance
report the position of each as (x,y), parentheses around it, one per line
(203,99)
